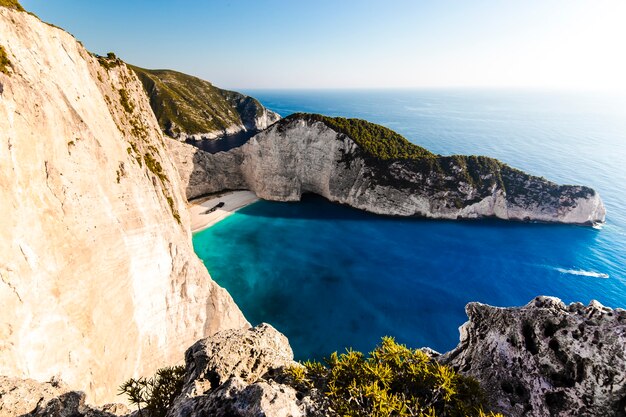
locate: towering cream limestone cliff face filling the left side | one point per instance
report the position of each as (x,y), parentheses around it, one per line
(98,278)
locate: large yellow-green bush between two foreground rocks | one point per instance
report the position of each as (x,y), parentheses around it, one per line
(392,381)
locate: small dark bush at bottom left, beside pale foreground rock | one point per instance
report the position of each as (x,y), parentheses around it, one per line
(155,395)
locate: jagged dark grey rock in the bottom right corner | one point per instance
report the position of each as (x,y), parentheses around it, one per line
(546,358)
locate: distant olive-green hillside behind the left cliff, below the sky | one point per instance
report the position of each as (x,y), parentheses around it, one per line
(190,108)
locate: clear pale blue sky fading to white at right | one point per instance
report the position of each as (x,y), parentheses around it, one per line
(555,44)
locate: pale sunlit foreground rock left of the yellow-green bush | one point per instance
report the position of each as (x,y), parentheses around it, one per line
(231,374)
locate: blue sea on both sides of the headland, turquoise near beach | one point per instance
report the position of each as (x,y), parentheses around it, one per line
(331,277)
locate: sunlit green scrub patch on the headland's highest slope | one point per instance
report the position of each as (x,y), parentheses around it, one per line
(376,140)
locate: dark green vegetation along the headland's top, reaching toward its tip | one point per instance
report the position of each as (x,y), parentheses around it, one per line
(384,146)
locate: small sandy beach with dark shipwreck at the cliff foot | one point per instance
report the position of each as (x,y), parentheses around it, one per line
(207,211)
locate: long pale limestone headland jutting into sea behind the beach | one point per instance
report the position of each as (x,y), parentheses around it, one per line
(309,154)
